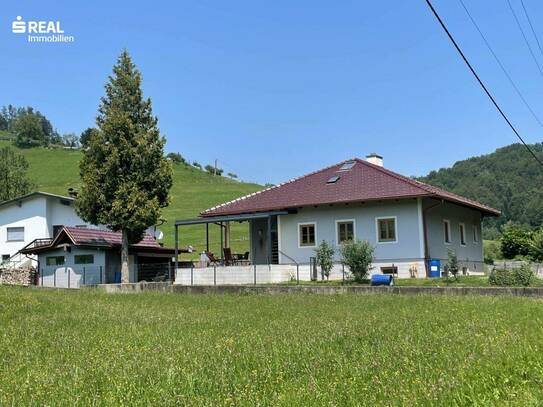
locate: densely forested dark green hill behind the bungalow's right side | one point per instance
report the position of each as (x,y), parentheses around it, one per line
(508,179)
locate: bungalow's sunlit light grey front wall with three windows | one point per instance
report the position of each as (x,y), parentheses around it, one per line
(408,227)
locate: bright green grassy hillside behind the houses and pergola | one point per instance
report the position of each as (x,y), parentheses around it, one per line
(55,170)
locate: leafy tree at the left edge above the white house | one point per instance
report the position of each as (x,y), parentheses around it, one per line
(13,178)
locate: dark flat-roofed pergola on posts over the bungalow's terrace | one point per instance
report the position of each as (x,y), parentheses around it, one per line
(221,221)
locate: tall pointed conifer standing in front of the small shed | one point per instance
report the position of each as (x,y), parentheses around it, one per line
(125,177)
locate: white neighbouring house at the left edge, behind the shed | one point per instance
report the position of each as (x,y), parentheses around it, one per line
(33,216)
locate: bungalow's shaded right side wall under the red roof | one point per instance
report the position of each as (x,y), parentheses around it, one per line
(456,214)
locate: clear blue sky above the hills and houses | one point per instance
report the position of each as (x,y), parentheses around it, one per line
(277,89)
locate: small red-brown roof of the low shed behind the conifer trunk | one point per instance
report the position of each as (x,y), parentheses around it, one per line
(94,238)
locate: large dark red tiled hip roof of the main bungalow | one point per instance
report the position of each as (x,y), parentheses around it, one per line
(363,182)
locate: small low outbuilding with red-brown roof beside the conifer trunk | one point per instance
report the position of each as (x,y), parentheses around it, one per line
(77,256)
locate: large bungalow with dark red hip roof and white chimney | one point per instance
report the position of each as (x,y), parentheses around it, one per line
(408,222)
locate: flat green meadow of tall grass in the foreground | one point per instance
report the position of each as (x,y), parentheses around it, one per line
(85,347)
